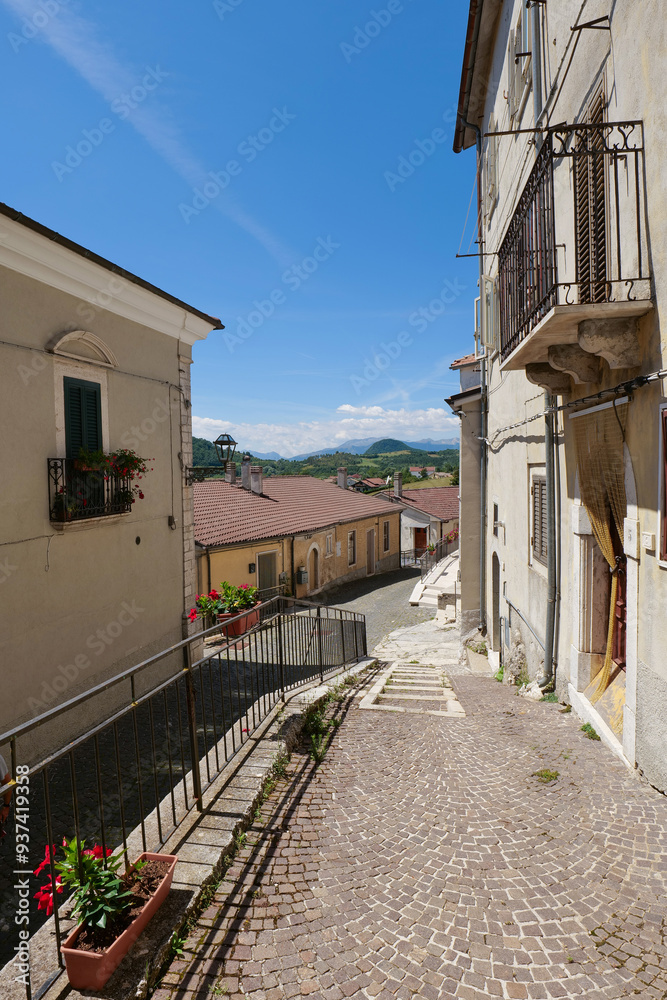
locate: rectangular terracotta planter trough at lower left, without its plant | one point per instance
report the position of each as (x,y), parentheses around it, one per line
(89,970)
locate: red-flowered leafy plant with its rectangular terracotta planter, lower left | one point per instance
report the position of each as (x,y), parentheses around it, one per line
(112,909)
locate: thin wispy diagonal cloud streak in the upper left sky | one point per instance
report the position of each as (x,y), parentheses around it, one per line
(76,41)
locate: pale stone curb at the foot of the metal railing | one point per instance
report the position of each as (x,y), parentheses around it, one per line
(203,842)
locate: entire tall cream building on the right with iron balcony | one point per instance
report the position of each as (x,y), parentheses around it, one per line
(564,423)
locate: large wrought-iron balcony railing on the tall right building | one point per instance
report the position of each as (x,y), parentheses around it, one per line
(578,234)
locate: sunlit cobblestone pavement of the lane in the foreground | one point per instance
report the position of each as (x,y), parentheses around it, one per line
(425,858)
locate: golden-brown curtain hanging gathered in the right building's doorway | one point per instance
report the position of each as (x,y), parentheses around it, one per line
(599,438)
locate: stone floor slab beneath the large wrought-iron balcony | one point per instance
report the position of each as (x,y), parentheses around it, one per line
(561,326)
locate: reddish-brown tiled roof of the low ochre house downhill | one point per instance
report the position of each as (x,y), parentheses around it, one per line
(290,505)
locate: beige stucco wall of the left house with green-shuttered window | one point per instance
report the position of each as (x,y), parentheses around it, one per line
(81,601)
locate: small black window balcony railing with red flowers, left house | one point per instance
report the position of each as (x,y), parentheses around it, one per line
(77,493)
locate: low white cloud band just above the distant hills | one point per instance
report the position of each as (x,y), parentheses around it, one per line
(354,422)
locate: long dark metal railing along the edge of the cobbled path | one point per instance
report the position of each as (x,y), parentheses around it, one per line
(137,774)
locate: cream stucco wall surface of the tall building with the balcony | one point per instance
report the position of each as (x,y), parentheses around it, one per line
(629,58)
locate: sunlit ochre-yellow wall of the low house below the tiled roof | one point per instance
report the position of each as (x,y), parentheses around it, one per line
(231,562)
